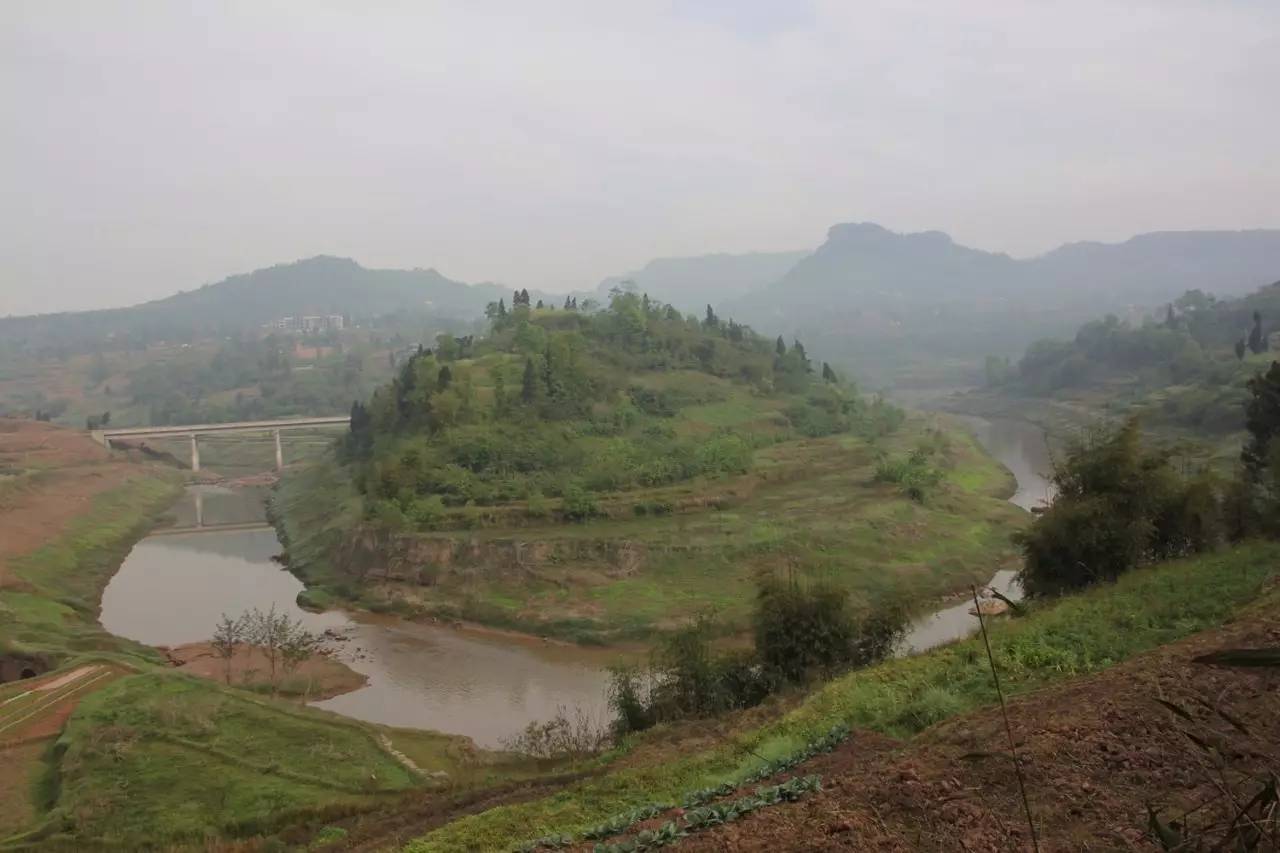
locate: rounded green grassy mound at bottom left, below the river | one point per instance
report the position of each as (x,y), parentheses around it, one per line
(161,756)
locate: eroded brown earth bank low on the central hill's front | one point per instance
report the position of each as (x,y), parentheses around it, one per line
(426,559)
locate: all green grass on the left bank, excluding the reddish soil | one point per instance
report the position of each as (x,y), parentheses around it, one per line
(159,755)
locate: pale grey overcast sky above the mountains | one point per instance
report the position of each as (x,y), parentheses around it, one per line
(149,148)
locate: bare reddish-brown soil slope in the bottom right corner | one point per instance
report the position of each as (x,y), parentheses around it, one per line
(1096,754)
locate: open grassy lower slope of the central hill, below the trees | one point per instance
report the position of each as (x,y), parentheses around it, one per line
(811,505)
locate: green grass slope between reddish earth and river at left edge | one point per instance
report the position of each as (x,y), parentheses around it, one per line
(56,610)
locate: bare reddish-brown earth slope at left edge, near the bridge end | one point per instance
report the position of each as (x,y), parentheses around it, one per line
(48,477)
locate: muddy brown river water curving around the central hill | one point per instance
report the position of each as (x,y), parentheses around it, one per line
(217,559)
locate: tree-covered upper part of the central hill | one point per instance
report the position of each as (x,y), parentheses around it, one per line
(559,408)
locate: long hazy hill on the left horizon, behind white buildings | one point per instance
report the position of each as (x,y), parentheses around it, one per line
(316,286)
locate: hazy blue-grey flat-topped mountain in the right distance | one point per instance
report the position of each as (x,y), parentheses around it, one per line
(880,300)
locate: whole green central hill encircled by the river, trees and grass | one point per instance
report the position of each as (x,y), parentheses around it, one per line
(610,475)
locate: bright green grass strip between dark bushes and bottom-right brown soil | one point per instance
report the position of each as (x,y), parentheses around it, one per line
(1073,637)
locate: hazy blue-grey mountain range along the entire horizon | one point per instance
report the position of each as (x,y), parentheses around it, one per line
(870,299)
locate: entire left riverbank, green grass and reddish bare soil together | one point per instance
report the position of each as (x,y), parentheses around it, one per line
(107,745)
